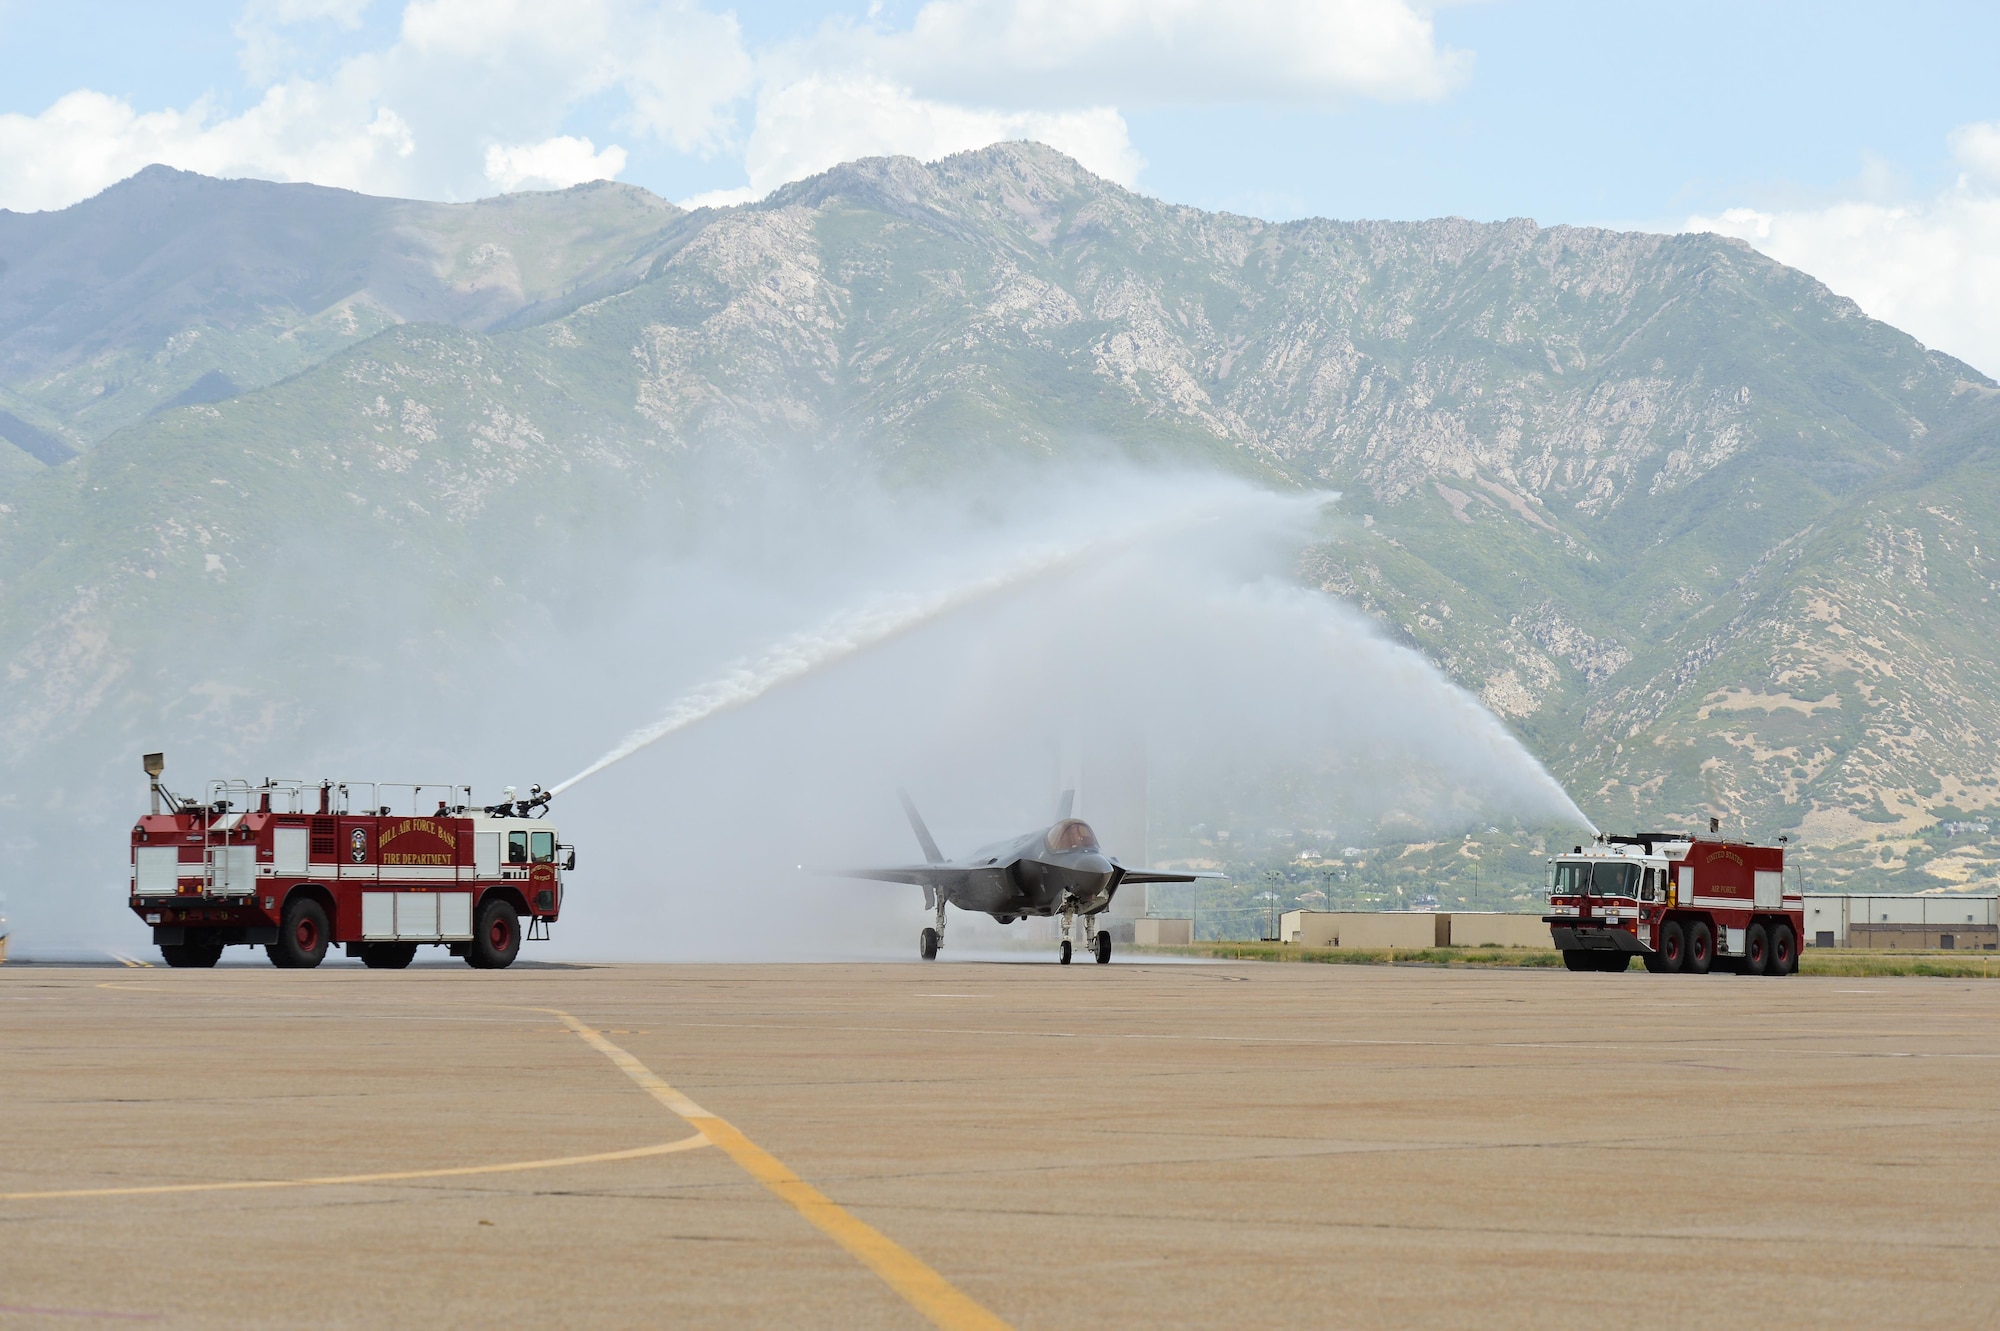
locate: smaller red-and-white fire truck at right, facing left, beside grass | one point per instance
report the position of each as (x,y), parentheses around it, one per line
(1679,904)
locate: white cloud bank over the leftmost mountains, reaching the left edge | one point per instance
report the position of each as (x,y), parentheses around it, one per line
(417,117)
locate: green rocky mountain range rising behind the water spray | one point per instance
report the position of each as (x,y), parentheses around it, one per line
(1705,535)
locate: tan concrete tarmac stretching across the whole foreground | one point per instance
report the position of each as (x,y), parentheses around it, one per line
(1169,1146)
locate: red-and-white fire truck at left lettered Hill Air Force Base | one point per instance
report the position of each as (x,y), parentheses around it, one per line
(295,866)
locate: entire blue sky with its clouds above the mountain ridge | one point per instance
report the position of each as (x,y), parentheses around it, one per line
(1859,141)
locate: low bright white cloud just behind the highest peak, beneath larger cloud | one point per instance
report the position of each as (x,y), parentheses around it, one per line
(817,123)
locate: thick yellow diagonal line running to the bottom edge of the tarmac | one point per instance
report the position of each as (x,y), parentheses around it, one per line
(899,1268)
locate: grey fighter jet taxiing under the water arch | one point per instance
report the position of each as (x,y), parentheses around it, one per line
(1059,870)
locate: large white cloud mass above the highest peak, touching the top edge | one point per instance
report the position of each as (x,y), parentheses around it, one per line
(971,73)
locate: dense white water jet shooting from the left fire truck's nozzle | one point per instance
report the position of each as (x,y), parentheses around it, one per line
(849,635)
